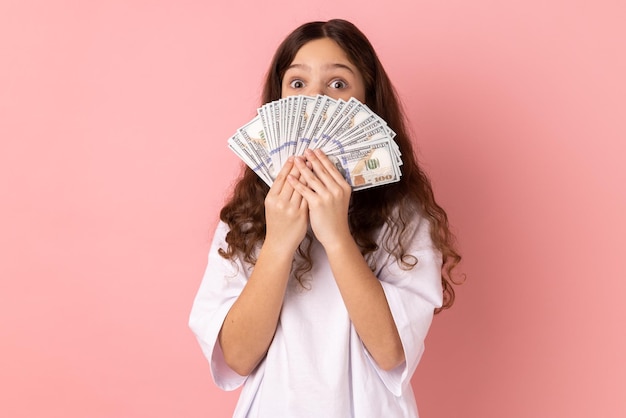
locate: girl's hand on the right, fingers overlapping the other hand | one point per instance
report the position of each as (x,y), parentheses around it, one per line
(327,195)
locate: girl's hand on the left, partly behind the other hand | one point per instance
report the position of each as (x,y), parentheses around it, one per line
(286,212)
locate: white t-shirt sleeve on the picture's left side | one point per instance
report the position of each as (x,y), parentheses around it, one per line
(221,284)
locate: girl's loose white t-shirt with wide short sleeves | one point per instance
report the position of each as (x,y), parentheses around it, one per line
(316,365)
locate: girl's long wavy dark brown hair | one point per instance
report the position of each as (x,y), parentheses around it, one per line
(393,204)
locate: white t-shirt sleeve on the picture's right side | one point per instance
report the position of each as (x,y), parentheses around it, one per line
(412,295)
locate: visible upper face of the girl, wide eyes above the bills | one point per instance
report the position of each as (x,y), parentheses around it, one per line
(322,67)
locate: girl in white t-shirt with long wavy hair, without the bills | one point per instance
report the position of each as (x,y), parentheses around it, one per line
(316,299)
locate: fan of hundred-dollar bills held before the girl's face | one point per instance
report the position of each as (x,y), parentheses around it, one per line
(355,139)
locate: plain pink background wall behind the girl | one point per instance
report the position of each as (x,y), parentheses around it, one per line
(114,117)
